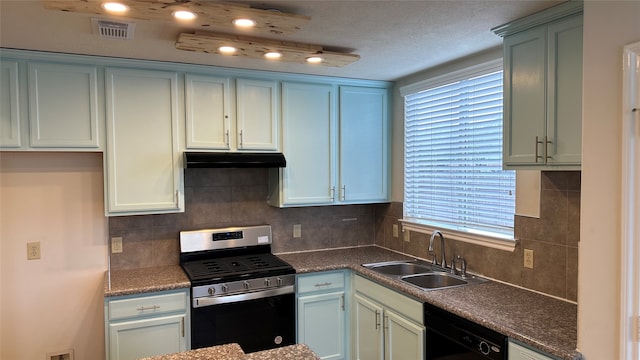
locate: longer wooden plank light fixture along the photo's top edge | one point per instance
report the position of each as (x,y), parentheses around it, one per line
(212,15)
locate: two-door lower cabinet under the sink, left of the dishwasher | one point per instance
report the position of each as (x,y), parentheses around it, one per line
(385,324)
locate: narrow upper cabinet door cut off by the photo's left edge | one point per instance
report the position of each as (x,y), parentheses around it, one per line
(10,126)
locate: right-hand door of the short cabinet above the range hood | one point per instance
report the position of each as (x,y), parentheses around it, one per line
(257,119)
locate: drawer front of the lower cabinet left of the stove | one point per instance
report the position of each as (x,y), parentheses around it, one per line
(147,305)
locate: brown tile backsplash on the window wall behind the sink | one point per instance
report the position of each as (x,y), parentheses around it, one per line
(554,238)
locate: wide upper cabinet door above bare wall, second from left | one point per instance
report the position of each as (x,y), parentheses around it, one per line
(63,106)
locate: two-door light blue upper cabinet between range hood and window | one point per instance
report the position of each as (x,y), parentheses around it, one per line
(329,164)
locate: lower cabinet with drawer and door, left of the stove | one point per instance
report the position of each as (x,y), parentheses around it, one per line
(147,325)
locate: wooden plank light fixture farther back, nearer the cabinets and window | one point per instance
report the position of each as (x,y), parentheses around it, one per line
(256,48)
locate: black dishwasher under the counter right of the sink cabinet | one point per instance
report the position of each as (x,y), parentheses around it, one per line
(450,337)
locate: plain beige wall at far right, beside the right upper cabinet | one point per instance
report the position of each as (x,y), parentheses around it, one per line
(608,26)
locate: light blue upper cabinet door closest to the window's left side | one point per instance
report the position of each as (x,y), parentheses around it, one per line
(364,145)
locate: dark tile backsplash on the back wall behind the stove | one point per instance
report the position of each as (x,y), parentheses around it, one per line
(236,197)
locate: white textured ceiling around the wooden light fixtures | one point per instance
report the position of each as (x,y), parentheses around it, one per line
(394,38)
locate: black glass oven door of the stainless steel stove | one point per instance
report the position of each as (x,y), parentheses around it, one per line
(264,321)
